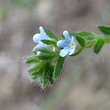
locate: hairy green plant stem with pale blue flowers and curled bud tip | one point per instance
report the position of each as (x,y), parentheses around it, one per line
(48,56)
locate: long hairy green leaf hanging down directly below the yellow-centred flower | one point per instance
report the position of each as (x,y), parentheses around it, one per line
(58,67)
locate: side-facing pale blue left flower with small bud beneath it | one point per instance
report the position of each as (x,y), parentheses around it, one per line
(38,37)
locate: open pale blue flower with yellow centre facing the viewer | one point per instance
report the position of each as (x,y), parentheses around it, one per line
(68,45)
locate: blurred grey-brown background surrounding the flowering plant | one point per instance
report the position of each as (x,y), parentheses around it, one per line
(84,83)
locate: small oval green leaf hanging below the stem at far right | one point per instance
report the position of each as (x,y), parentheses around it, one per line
(98,45)
